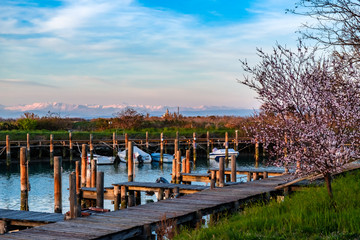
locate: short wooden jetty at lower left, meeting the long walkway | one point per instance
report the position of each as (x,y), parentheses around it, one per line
(16,218)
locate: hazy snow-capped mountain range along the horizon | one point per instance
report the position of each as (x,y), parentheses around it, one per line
(106,111)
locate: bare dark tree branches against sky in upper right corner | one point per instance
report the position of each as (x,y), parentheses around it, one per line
(337,23)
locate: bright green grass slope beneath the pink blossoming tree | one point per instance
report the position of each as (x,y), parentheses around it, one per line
(308,214)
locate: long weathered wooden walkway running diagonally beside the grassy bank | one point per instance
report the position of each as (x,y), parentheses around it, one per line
(140,221)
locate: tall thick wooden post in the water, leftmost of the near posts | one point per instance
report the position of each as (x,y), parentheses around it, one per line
(24,205)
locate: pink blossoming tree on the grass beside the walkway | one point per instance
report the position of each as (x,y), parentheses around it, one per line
(310,114)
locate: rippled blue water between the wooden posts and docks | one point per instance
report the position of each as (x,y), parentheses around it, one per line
(41,195)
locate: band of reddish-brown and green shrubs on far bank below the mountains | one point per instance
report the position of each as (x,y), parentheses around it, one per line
(128,119)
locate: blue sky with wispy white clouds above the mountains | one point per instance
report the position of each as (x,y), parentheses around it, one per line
(151,52)
